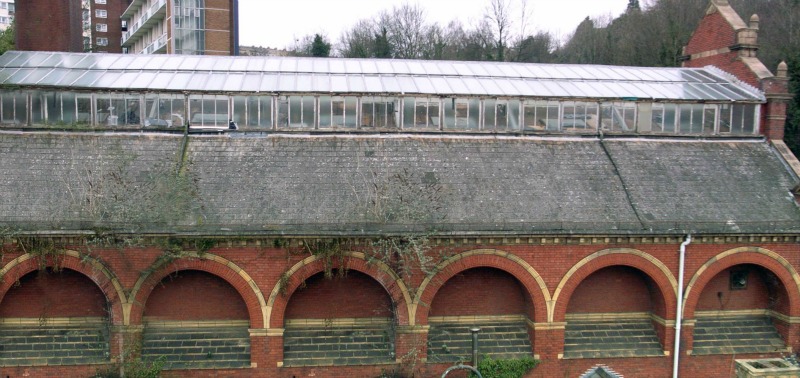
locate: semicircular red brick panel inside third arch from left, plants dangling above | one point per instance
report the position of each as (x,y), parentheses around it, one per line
(355,295)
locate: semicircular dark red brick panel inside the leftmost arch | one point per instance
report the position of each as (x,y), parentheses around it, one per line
(65,293)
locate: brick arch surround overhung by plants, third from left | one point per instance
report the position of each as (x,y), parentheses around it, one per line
(380,272)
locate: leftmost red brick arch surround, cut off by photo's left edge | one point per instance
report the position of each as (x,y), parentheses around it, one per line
(88,266)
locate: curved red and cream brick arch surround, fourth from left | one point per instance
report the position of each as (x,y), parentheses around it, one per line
(534,285)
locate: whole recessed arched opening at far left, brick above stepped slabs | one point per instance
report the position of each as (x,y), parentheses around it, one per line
(54,317)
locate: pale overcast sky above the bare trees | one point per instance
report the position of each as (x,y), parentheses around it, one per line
(277,23)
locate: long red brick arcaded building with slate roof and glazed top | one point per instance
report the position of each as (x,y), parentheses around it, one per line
(281,216)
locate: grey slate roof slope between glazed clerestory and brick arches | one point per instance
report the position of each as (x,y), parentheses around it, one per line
(353,185)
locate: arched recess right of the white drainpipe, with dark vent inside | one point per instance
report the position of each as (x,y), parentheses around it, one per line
(739,311)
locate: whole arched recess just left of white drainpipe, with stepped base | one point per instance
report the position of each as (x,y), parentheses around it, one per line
(617,311)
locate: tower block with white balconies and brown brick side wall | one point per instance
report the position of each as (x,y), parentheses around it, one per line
(207,27)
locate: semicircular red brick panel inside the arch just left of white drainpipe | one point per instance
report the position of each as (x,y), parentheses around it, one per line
(600,292)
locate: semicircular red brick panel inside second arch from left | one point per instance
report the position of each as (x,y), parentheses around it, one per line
(195,295)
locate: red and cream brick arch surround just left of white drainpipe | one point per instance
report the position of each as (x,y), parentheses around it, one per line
(649,265)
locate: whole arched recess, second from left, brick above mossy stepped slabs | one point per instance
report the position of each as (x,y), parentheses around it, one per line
(193,320)
